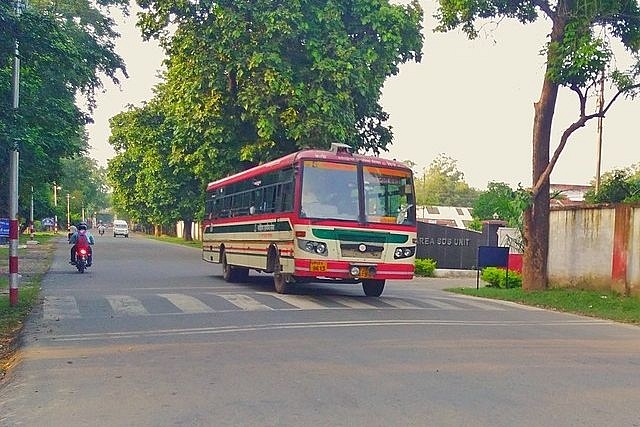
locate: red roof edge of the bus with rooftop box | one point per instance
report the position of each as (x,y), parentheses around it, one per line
(337,155)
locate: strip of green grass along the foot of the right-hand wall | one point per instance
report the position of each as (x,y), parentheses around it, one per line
(603,305)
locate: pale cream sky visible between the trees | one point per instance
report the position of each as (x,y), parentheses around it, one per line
(471,100)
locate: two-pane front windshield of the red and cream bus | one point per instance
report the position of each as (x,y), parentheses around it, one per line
(332,190)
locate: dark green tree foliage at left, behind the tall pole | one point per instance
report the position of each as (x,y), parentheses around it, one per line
(65,48)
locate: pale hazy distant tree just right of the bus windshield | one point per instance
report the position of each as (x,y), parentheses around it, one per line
(442,184)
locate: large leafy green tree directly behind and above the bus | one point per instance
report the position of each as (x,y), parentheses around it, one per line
(251,81)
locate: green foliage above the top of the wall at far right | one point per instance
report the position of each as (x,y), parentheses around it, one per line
(618,186)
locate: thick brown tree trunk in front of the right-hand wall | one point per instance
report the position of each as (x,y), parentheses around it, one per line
(536,217)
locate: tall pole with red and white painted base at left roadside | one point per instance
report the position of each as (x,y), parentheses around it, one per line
(13,177)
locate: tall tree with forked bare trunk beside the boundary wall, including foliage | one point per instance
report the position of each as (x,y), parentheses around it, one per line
(579,54)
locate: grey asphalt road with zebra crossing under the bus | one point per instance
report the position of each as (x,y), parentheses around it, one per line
(152,336)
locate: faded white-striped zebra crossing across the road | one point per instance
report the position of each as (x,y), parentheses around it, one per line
(69,307)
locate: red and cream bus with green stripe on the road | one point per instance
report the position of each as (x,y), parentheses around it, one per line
(325,216)
